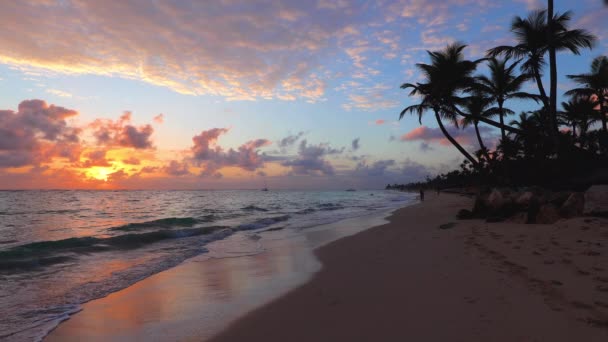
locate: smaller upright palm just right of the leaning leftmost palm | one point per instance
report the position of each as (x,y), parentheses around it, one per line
(502,85)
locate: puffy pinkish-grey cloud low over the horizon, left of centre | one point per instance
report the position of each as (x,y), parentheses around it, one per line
(207,152)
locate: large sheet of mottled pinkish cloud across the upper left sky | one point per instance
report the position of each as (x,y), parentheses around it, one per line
(234,49)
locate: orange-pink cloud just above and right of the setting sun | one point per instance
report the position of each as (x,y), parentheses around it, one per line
(122,133)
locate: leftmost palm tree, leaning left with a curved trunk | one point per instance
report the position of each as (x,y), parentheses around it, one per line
(447,75)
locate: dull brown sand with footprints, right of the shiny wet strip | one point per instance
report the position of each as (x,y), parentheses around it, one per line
(411,280)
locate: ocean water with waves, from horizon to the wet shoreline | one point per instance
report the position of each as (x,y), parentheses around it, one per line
(60,249)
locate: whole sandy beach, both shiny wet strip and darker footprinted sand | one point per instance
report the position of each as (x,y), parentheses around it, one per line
(424,276)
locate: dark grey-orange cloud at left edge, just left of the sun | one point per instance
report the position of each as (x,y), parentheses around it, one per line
(37,133)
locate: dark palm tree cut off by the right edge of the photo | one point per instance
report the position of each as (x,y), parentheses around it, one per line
(595,84)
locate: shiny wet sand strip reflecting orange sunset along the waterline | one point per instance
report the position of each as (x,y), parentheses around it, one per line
(201,296)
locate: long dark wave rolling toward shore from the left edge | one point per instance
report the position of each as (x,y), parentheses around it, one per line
(44,253)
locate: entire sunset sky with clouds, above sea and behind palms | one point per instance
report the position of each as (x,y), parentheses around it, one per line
(230,94)
